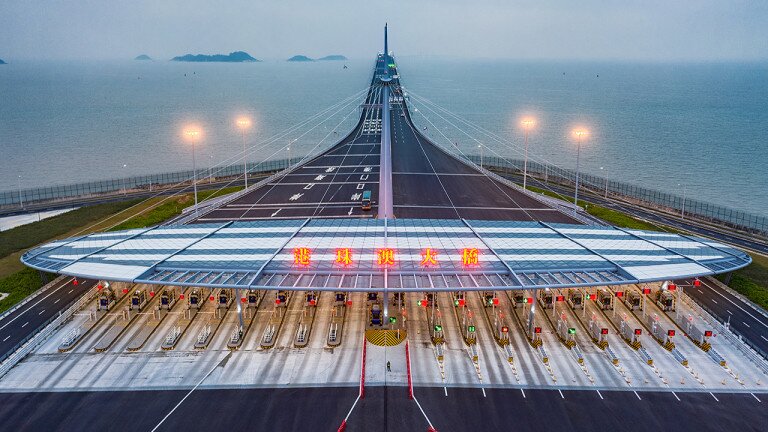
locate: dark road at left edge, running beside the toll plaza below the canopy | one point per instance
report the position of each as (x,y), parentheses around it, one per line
(16,326)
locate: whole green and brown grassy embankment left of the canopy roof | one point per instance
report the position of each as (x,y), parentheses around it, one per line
(19,281)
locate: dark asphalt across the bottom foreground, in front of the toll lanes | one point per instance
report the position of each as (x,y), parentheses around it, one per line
(383,409)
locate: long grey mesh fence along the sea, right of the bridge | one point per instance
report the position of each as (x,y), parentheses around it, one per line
(688,207)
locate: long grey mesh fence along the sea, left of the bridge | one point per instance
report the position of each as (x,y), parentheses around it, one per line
(148,182)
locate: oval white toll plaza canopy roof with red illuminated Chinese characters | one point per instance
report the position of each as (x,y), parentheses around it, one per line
(350,255)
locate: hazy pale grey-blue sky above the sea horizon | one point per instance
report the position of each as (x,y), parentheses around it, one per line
(560,29)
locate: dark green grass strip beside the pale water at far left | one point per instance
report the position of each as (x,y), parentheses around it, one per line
(25,236)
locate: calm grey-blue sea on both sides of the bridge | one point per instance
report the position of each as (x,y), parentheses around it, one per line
(701,126)
